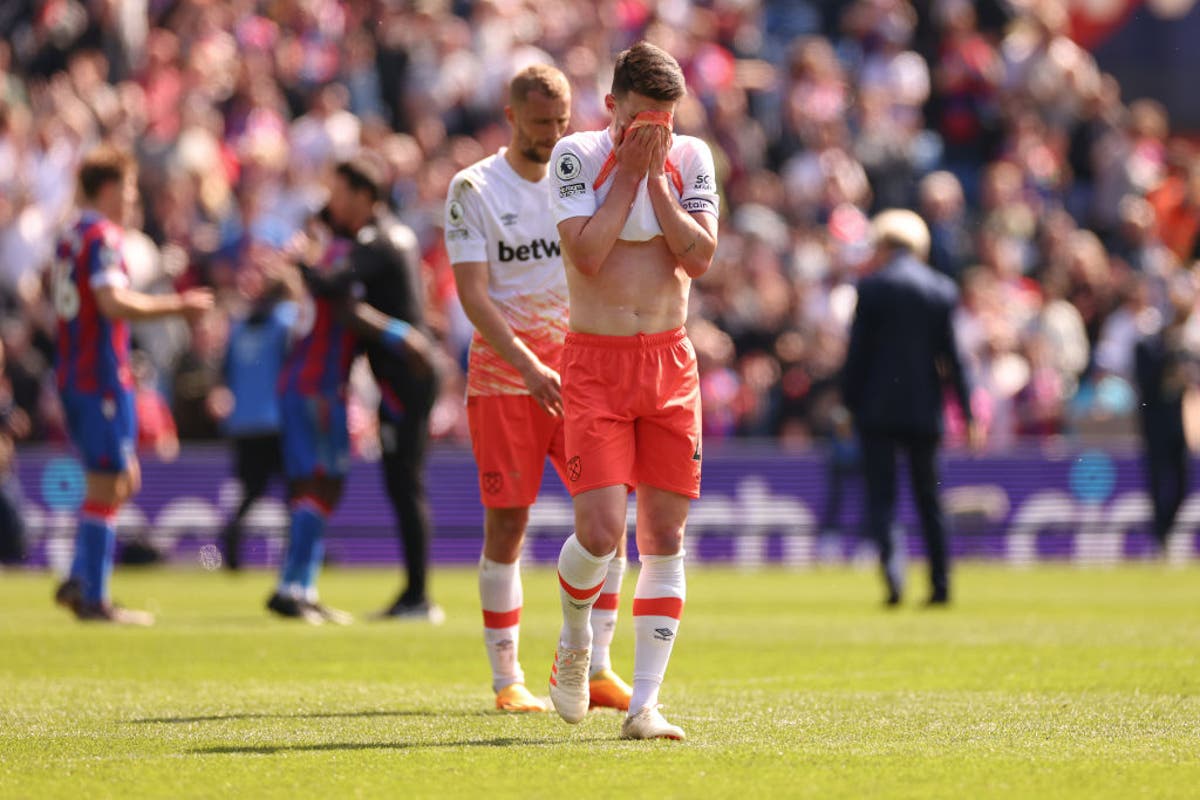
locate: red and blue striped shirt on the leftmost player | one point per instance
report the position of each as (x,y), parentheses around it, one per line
(93,350)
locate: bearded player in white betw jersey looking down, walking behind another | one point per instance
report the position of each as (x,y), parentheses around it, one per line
(508,267)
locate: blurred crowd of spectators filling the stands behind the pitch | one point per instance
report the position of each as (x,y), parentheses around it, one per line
(1064,210)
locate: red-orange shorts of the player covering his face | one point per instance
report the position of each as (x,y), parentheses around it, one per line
(633,412)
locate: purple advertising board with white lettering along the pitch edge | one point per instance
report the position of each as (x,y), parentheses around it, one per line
(759,506)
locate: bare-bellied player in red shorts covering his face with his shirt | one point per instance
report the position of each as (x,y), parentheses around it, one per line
(638,213)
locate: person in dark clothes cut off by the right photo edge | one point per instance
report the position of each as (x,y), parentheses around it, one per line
(1167,371)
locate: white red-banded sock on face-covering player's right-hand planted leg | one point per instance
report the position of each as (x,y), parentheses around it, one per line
(658,606)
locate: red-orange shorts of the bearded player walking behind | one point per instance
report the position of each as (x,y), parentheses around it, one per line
(512,437)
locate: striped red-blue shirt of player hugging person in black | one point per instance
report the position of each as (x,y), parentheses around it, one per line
(320,363)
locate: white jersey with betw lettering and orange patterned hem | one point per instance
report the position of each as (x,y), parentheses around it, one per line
(496,216)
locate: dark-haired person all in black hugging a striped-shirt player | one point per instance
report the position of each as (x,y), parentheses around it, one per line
(383,267)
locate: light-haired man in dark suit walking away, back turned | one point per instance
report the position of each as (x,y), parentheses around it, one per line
(902,354)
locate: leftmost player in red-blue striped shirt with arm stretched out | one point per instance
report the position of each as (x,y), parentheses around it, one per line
(92,296)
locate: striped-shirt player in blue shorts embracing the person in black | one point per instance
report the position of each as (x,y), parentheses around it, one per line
(314,413)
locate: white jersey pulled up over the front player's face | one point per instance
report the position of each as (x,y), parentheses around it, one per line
(579,159)
